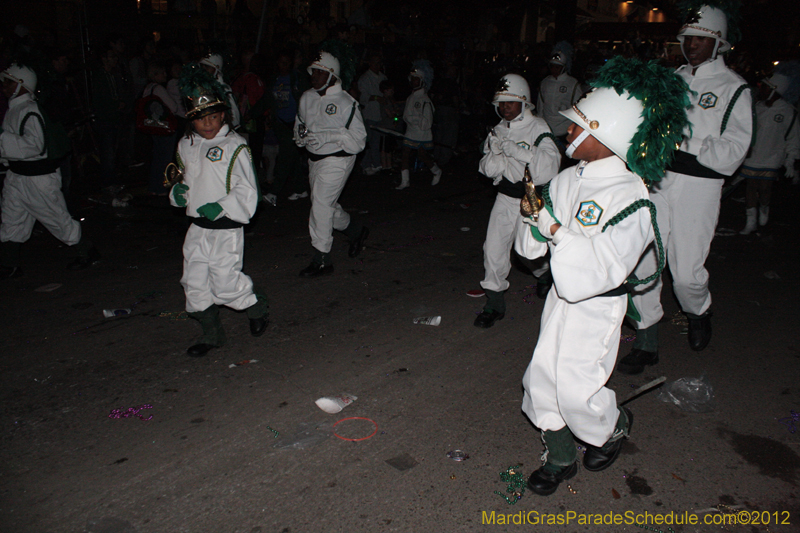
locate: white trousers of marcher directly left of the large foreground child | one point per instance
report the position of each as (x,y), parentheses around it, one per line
(500,235)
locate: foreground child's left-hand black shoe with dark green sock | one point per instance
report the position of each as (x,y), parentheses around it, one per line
(560,464)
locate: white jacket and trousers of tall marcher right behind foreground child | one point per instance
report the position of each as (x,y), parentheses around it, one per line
(688,205)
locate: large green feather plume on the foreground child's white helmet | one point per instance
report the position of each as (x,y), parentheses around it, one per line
(665,98)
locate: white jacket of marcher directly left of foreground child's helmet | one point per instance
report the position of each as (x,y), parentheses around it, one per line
(524,130)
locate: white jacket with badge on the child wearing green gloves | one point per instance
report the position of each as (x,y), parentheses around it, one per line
(218,170)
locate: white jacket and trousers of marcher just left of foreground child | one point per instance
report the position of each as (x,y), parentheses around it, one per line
(544,161)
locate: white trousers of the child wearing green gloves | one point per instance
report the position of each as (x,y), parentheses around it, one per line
(212,269)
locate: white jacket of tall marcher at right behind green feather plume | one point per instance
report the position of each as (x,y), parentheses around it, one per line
(715,85)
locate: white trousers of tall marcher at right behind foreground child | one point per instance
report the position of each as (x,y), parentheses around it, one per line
(687,212)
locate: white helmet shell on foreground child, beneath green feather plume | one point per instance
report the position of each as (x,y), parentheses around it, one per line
(609,117)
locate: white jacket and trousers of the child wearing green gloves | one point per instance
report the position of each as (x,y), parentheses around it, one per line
(217,170)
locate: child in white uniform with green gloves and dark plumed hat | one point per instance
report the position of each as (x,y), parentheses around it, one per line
(220,193)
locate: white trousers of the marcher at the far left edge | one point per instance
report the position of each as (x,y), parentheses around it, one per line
(27,199)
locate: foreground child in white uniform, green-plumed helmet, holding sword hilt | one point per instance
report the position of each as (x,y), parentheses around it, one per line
(596,231)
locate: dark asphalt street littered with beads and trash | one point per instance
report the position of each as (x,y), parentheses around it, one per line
(107,426)
